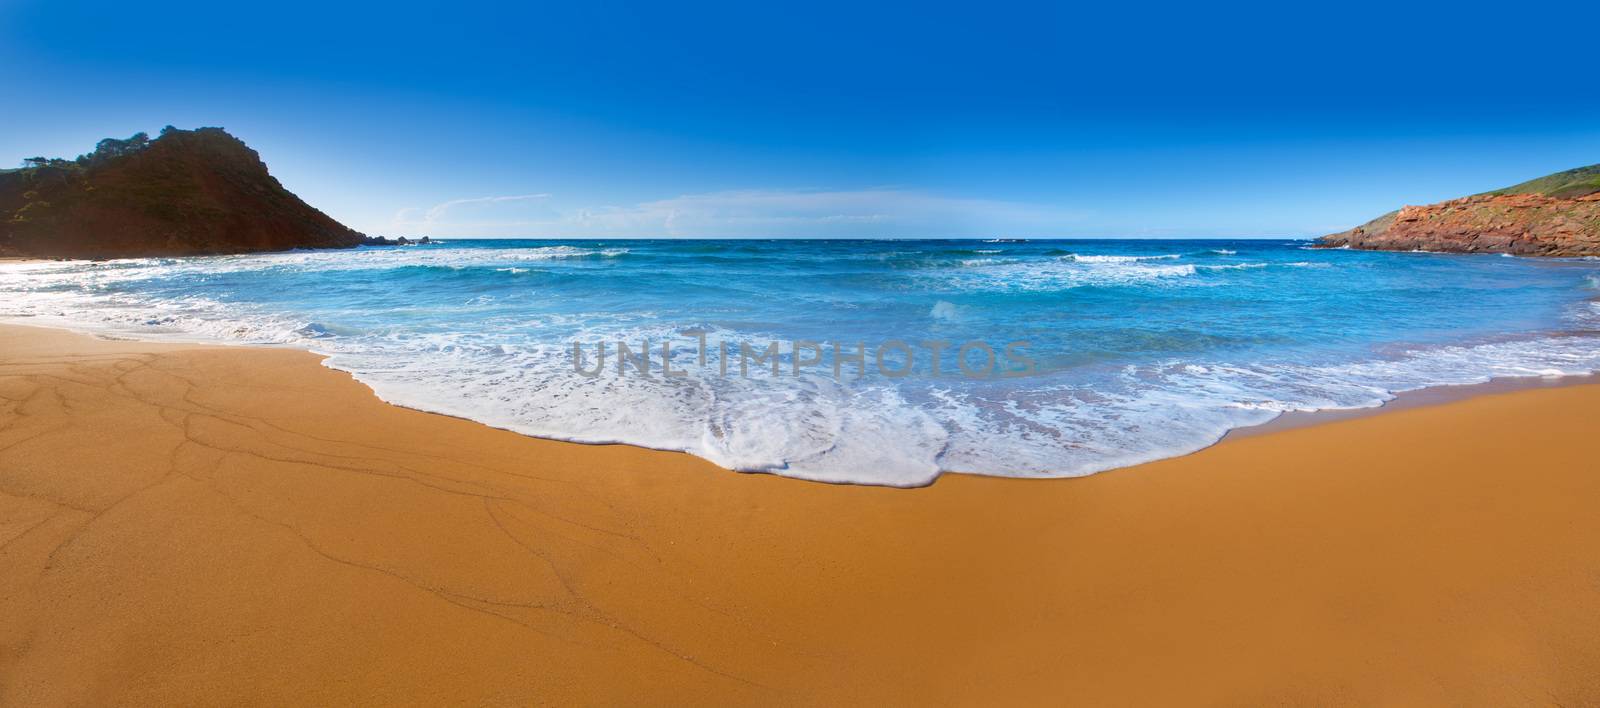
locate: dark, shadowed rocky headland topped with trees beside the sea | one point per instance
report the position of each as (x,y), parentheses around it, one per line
(182,195)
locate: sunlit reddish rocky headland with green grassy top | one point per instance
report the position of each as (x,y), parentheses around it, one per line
(1556,215)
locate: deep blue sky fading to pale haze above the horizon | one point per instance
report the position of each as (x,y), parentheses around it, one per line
(599,119)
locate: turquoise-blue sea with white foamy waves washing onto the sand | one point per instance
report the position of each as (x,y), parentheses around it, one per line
(1121,352)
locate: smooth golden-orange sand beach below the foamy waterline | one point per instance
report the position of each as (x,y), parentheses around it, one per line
(191,526)
